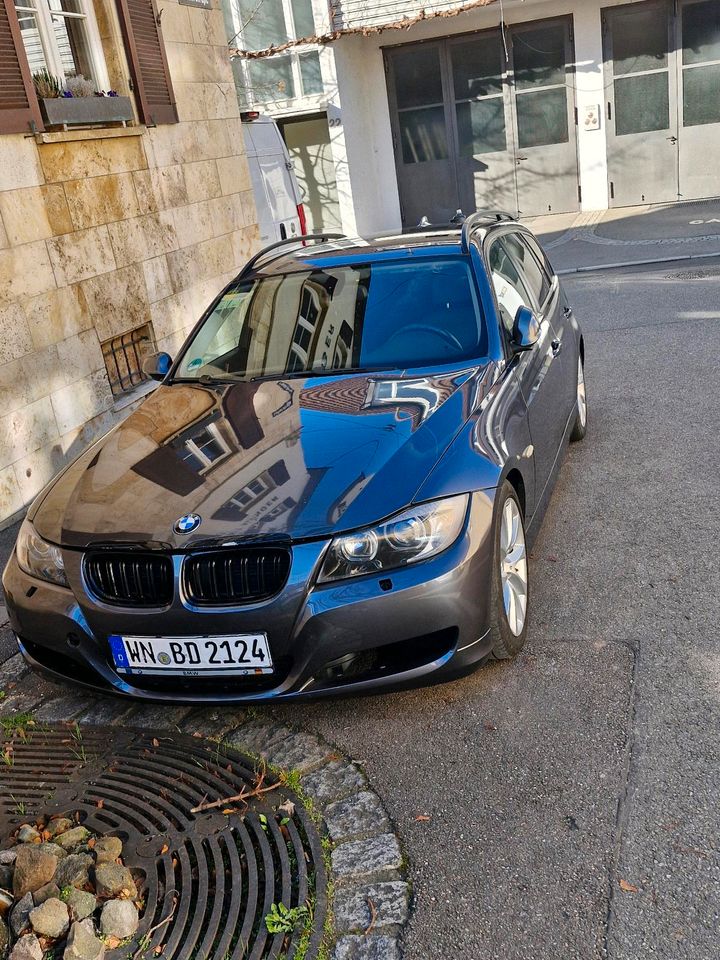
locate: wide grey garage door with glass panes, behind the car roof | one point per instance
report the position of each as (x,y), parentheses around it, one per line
(485,119)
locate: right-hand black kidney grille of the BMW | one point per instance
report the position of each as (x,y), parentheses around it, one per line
(237,576)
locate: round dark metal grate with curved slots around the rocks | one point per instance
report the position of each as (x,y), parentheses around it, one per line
(214,874)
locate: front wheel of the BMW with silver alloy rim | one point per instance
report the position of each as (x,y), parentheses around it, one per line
(507,633)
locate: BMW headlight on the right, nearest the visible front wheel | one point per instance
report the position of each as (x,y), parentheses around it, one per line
(413,535)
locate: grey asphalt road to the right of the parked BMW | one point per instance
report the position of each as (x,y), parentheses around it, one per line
(594,758)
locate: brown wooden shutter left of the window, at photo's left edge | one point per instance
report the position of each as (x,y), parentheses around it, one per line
(18,102)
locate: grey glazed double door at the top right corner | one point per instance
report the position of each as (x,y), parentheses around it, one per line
(663,101)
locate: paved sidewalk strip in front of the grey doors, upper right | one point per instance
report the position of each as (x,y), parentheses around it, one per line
(627,235)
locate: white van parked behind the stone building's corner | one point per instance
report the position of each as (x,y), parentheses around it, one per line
(277,195)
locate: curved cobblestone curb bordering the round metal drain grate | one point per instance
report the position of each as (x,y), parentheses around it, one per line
(366,863)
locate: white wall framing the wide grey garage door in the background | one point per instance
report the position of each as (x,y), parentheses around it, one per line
(363,146)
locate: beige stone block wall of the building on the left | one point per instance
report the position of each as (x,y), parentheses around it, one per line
(104,231)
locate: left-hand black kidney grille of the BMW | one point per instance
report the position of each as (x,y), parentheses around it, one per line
(130,579)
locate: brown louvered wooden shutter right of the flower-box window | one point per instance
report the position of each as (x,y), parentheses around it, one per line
(146,53)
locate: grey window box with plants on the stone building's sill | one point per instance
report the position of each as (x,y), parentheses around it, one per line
(77,103)
